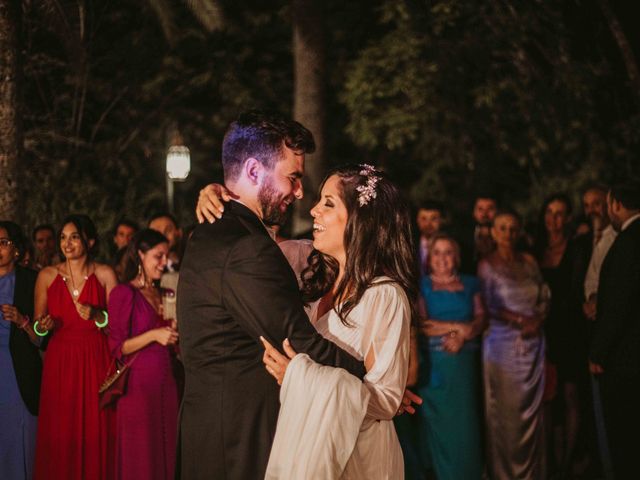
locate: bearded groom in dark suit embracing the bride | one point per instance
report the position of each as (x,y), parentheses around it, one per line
(235,286)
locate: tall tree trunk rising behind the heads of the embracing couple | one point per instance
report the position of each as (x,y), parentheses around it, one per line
(308,103)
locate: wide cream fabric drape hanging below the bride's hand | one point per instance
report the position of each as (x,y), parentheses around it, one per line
(322,409)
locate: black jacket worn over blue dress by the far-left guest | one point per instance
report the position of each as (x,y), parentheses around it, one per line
(27,363)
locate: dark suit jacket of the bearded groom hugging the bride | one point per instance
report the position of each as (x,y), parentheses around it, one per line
(235,285)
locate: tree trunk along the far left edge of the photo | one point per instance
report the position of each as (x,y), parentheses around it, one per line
(10,131)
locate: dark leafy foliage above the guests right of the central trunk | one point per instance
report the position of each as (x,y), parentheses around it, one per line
(491,95)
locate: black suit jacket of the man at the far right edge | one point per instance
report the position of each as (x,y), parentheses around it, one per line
(616,338)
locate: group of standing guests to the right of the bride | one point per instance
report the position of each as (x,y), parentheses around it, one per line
(529,343)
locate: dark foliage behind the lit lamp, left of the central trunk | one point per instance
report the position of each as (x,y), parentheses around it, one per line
(102,94)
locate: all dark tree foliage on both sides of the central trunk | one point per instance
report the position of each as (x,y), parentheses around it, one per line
(451,96)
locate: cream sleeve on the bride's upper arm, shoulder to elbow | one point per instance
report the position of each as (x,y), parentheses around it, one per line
(387,326)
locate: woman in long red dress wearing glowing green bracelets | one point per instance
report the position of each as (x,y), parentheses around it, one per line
(75,437)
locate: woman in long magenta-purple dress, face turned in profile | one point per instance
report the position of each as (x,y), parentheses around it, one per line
(147,414)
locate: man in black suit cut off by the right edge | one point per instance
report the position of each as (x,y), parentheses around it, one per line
(615,345)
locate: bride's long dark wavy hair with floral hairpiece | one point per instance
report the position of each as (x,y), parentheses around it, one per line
(377,239)
